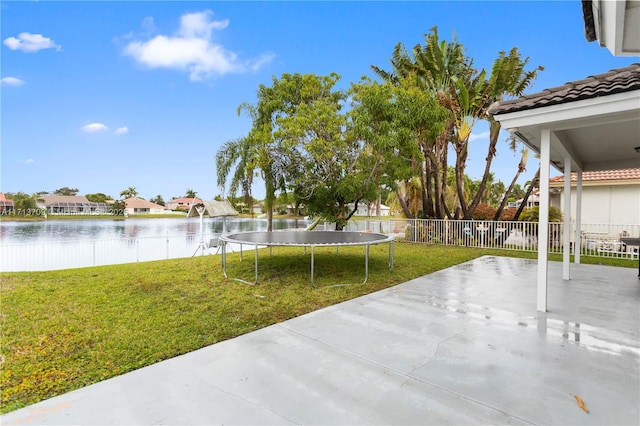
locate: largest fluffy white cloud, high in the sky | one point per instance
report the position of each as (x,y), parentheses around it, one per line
(191,49)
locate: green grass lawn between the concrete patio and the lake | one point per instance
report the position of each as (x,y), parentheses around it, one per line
(62,330)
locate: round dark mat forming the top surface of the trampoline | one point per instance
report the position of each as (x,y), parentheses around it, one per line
(305,238)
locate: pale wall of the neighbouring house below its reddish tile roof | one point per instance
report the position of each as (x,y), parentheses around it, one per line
(606,204)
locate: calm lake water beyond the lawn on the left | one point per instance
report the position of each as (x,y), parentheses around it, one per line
(62,244)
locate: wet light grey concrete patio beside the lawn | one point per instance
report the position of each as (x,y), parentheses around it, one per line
(461,346)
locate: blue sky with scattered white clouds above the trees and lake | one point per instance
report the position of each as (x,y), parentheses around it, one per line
(102,96)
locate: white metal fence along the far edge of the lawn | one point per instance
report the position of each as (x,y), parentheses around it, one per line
(596,240)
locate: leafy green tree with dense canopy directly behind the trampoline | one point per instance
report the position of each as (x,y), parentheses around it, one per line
(328,168)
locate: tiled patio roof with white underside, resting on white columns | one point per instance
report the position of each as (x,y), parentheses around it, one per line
(595,122)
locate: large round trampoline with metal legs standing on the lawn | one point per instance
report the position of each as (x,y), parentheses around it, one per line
(305,239)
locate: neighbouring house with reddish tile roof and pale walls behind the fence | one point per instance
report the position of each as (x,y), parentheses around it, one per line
(608,197)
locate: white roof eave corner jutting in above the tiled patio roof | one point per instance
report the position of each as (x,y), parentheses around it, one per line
(613,24)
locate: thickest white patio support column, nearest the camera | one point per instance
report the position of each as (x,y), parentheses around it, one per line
(543,220)
